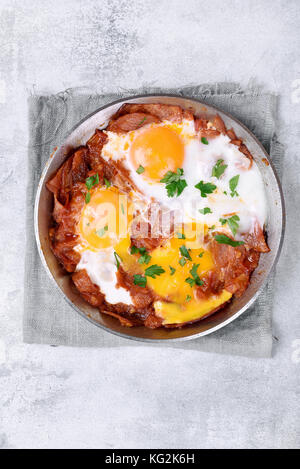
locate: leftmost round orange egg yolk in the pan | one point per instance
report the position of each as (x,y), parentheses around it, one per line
(104,220)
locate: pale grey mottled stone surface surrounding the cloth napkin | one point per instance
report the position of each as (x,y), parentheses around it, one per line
(129,397)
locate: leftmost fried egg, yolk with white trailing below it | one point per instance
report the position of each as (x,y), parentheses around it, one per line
(103,223)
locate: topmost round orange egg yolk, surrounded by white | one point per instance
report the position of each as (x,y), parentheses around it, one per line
(157,150)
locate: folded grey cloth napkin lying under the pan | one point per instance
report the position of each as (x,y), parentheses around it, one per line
(48,319)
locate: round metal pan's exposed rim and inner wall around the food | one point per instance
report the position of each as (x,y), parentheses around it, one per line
(275,225)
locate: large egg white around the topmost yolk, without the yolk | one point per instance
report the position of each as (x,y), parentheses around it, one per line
(199,159)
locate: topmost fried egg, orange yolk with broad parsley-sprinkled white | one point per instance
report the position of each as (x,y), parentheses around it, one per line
(159,148)
